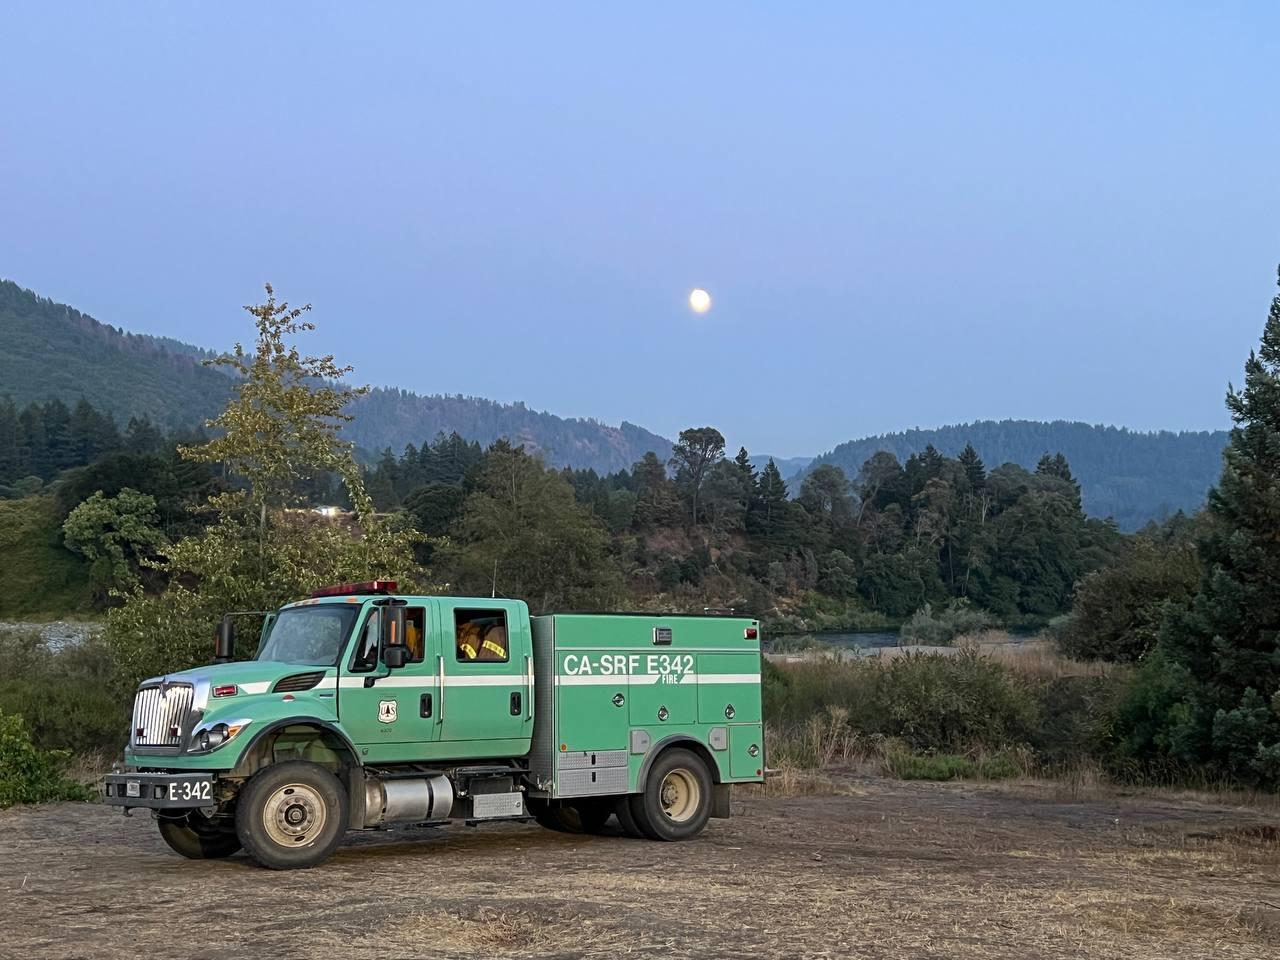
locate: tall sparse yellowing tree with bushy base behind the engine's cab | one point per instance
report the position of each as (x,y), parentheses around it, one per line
(280,431)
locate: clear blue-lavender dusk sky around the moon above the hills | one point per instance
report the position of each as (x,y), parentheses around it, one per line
(907,214)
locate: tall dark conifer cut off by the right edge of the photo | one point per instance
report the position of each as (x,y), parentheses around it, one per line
(1219,659)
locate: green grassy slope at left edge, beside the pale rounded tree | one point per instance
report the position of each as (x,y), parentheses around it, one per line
(40,577)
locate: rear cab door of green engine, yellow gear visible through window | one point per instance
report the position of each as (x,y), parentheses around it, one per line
(487,668)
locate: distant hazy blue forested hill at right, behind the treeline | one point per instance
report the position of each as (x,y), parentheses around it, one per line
(1124,474)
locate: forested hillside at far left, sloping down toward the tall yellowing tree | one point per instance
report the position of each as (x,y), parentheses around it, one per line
(53,351)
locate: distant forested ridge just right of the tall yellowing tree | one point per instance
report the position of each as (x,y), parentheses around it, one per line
(390,418)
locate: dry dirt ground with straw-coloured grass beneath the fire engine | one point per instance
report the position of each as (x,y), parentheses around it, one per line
(883,870)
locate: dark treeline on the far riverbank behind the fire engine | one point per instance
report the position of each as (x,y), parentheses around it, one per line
(706,529)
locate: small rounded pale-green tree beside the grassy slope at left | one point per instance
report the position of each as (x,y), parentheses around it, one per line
(116,534)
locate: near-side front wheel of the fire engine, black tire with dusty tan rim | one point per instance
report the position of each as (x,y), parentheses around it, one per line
(292,816)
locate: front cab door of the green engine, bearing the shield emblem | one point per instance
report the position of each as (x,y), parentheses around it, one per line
(383,710)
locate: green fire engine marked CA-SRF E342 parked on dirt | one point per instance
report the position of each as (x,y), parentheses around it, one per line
(365,708)
